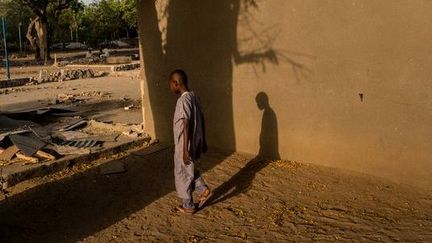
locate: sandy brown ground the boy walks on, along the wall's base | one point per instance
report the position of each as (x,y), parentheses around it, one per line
(255,202)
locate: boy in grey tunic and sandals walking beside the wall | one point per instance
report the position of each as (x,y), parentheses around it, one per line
(190,142)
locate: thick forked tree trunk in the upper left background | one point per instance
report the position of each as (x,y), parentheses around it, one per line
(43,10)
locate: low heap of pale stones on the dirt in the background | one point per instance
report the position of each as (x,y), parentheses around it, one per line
(64,75)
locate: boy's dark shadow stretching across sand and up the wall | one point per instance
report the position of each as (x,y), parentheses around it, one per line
(242,181)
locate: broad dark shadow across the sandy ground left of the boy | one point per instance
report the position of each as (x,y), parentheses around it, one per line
(79,206)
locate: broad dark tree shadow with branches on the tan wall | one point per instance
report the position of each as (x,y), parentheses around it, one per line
(200,36)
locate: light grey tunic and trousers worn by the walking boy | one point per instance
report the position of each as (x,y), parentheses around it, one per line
(186,176)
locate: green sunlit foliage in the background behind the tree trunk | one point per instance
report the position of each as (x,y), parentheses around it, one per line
(100,21)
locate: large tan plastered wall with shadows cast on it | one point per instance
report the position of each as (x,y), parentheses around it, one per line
(312,60)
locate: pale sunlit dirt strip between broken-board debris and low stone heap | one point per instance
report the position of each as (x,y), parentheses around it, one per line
(101,98)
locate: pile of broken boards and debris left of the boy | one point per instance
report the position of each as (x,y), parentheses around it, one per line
(28,142)
